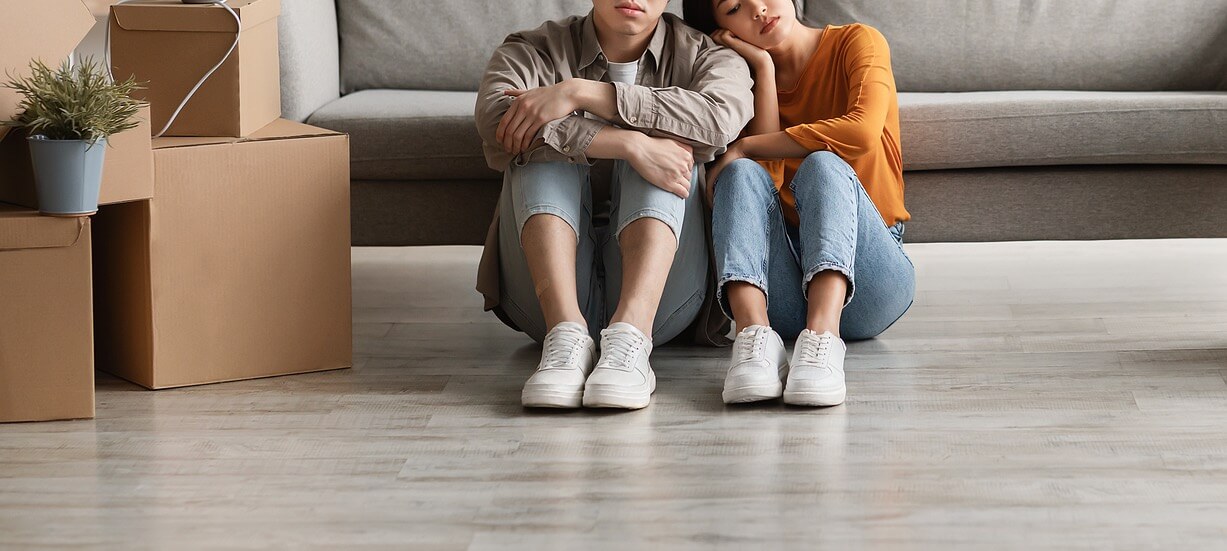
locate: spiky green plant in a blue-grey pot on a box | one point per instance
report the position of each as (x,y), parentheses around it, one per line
(68,114)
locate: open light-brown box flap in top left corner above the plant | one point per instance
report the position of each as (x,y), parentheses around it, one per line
(47,30)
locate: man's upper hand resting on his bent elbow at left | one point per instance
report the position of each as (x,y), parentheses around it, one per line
(531,111)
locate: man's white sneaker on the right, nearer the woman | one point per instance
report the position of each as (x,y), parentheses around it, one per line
(623,377)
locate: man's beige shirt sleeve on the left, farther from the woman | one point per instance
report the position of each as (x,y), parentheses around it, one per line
(517,66)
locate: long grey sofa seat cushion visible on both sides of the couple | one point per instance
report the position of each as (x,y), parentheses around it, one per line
(397,134)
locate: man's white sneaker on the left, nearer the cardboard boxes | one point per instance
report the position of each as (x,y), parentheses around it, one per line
(566,360)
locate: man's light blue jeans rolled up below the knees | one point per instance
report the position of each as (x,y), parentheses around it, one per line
(565,191)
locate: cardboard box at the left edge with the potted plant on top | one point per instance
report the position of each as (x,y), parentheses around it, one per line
(46,317)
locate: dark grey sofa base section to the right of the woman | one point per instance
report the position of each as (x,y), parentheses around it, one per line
(1120,202)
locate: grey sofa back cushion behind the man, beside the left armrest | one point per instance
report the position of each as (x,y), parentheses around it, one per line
(430,45)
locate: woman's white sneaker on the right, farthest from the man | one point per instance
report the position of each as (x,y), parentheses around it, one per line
(817,377)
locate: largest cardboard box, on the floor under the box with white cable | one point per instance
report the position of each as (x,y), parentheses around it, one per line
(239,267)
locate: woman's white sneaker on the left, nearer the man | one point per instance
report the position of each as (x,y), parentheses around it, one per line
(758,369)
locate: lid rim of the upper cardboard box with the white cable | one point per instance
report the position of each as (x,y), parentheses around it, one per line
(176,17)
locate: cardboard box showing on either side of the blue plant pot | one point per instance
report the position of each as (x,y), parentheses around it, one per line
(127,174)
